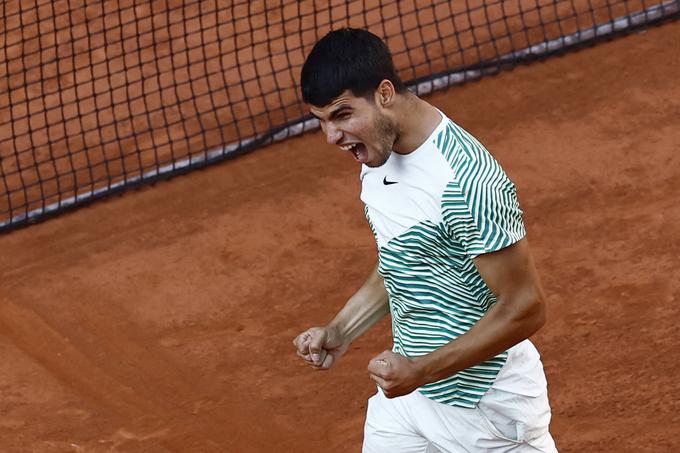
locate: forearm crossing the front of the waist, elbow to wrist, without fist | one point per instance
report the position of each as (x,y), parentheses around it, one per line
(503,326)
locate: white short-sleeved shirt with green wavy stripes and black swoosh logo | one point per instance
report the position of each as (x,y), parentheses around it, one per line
(444,204)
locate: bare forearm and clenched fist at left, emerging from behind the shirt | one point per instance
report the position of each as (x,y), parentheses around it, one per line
(320,347)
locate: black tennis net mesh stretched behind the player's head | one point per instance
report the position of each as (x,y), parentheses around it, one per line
(96,97)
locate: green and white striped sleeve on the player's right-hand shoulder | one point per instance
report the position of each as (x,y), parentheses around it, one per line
(480,208)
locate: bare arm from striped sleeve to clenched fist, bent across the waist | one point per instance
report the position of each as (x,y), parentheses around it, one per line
(519,312)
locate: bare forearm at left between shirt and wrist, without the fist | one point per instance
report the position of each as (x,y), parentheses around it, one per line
(366,307)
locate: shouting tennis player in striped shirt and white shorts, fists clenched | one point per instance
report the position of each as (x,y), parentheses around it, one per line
(454,267)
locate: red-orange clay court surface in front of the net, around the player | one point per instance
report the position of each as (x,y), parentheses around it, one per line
(162,320)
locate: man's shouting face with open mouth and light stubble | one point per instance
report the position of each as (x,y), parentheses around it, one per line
(358,126)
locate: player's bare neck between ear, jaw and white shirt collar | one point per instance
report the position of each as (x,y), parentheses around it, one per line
(416,119)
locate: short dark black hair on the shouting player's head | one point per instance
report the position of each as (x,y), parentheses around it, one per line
(346,59)
